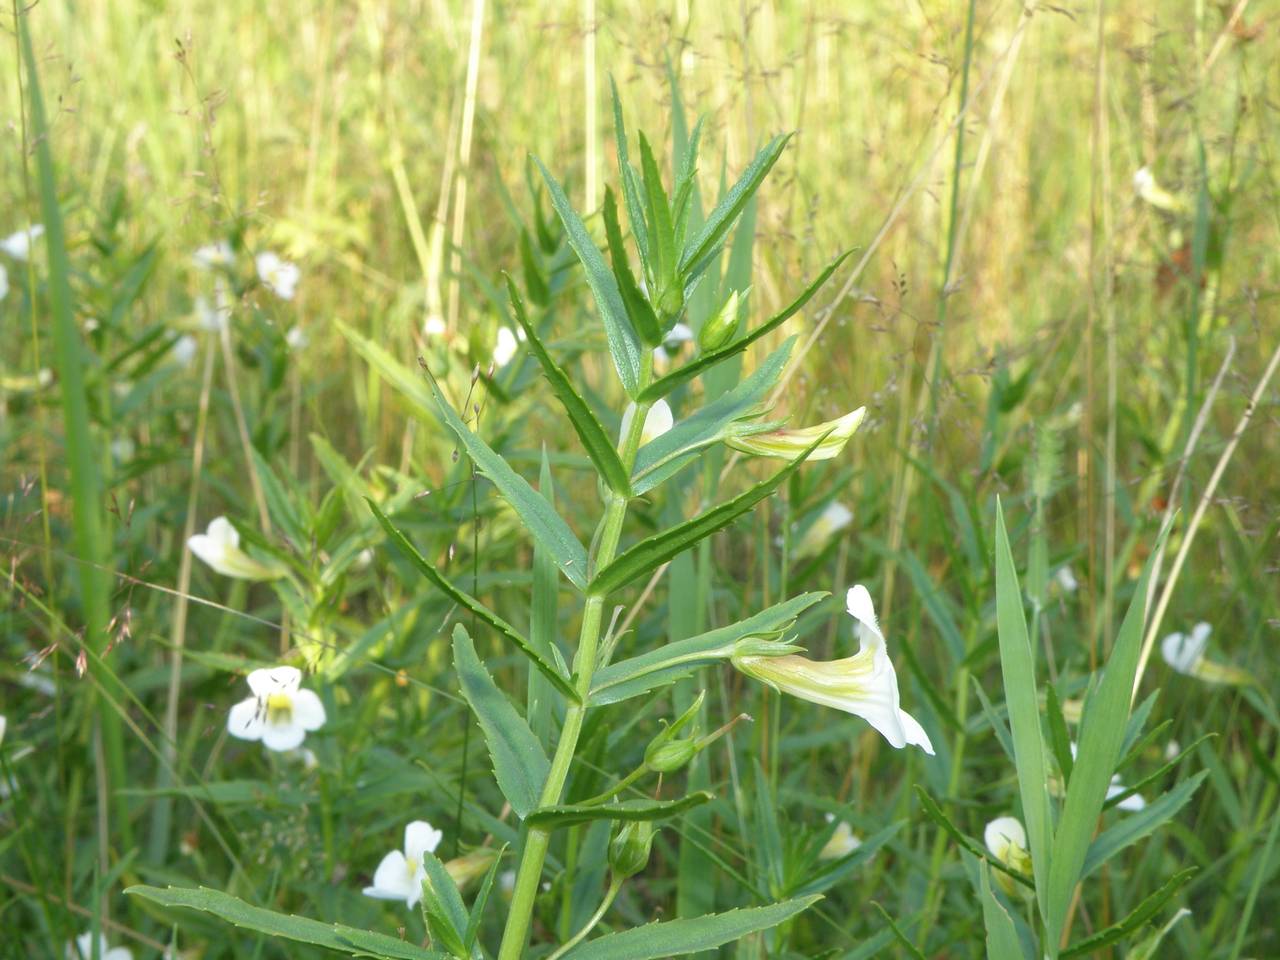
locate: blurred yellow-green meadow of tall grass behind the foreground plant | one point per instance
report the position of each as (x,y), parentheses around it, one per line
(1017,321)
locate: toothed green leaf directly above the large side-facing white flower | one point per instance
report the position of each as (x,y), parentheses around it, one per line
(665,665)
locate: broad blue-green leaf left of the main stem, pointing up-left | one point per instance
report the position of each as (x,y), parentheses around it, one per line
(519,762)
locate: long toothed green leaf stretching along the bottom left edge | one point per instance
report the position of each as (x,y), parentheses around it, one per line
(332,936)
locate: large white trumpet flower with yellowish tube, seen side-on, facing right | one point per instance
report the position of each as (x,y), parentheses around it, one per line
(865,684)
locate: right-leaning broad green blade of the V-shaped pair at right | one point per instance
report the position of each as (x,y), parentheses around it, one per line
(1103,732)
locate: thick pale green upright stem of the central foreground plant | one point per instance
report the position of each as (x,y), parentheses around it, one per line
(528,876)
